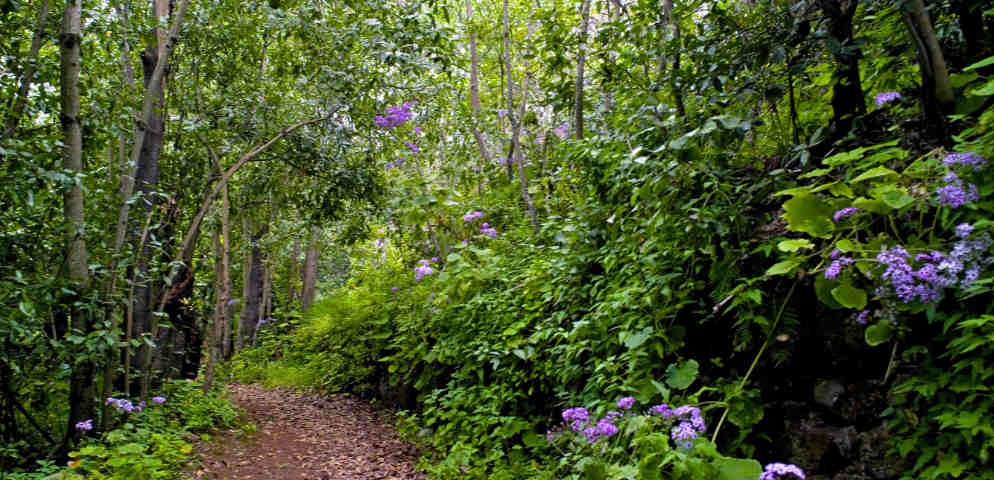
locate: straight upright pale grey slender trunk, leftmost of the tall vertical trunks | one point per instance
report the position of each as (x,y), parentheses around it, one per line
(81,386)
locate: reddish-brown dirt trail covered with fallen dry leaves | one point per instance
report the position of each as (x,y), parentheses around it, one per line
(306,437)
